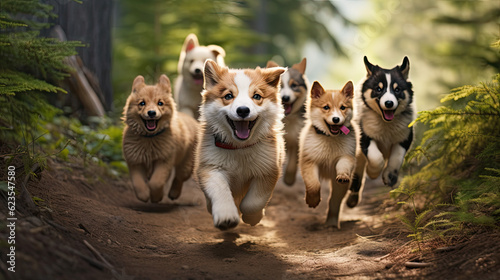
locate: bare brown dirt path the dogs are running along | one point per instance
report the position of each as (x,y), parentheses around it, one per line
(177,239)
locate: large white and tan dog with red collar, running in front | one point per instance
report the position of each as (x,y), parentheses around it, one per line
(241,147)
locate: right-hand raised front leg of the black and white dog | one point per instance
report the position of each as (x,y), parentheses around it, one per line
(396,159)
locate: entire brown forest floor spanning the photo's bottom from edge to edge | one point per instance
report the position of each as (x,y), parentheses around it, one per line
(92,227)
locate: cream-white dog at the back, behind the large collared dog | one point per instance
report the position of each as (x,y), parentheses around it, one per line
(189,83)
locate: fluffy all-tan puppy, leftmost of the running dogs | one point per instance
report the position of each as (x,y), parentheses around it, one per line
(156,139)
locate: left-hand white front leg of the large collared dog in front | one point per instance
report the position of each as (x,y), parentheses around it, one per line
(218,193)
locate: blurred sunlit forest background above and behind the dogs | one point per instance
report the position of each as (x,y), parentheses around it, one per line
(447,42)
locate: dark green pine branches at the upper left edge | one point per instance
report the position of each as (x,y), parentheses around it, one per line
(30,66)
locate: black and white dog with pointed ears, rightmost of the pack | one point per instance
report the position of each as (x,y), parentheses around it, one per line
(384,110)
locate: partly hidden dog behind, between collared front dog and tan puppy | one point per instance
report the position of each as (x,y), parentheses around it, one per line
(293,92)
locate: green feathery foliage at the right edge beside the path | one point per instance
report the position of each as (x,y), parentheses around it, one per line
(460,179)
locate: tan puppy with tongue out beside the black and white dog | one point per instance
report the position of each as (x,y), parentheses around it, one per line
(328,147)
